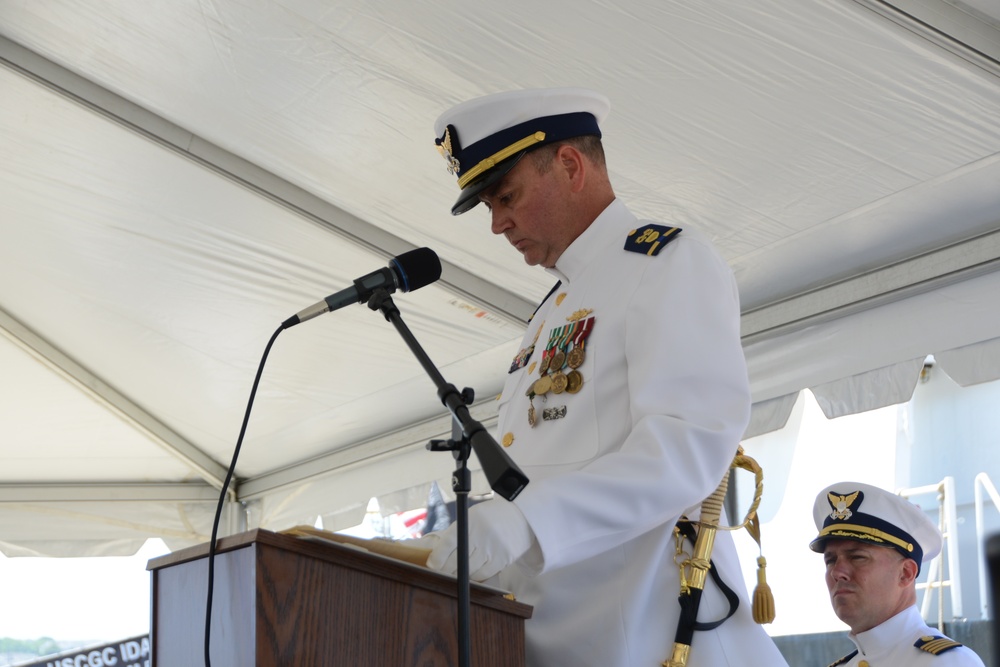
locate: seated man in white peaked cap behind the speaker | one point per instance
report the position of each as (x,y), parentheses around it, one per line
(873,543)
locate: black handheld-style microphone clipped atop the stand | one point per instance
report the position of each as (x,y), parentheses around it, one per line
(411,270)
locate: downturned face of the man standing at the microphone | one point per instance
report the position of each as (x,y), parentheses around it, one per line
(529,208)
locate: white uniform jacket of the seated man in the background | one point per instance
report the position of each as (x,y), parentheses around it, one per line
(894,644)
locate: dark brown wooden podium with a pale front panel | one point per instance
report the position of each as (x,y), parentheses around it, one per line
(286,601)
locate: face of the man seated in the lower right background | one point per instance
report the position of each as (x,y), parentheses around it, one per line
(867,584)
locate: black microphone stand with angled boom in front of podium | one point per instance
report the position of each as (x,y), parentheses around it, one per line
(505,478)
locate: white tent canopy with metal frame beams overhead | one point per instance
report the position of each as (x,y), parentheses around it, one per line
(179,177)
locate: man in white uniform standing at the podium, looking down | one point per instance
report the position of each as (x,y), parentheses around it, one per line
(624,404)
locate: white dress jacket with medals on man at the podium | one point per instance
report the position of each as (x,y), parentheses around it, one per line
(663,405)
